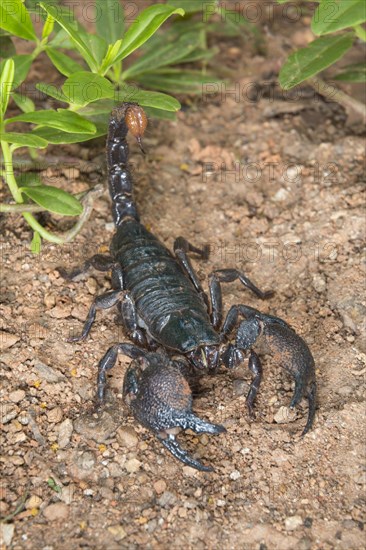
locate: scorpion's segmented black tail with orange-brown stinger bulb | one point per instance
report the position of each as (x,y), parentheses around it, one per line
(126,117)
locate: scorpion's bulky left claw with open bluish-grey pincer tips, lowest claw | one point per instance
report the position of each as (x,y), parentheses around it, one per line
(160,398)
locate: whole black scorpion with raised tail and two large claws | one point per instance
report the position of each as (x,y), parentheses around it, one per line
(166,314)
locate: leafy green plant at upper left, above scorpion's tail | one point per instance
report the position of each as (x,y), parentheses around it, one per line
(94,82)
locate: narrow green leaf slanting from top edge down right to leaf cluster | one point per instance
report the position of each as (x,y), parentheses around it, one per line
(74,30)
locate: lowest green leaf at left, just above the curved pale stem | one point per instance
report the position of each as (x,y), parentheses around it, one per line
(53,199)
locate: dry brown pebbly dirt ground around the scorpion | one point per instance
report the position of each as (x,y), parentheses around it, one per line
(290,213)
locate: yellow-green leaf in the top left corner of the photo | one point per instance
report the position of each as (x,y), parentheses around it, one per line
(15,18)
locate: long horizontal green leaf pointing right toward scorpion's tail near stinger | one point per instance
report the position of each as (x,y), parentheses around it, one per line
(64,120)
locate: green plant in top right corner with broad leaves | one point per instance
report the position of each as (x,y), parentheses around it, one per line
(338,23)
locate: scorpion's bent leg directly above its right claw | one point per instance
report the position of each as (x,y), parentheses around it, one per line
(228,276)
